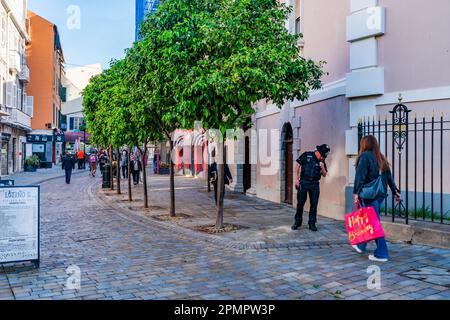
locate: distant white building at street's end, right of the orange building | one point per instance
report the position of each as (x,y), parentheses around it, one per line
(75,80)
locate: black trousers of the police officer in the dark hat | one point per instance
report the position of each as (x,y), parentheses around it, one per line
(311,189)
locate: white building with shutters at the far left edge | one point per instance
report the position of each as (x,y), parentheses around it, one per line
(16,106)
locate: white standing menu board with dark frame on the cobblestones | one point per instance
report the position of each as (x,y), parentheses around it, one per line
(19,224)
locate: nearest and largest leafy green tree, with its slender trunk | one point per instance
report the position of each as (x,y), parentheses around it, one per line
(218,58)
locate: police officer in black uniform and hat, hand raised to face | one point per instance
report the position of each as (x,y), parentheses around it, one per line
(313,168)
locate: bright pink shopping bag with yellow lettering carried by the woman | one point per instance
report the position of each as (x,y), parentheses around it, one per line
(363,225)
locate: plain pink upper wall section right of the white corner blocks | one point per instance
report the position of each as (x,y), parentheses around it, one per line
(415,51)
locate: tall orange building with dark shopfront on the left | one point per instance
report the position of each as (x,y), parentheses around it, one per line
(45,57)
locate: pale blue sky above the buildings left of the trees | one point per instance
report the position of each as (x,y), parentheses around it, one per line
(91,31)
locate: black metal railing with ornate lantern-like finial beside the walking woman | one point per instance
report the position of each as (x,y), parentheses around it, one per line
(418,150)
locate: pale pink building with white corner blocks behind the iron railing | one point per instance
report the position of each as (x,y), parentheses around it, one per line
(373,54)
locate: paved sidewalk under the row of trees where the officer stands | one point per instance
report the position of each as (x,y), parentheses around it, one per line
(263,224)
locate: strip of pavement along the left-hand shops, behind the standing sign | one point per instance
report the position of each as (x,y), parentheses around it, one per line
(38,177)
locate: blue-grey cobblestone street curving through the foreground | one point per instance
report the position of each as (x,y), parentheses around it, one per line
(131,256)
